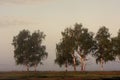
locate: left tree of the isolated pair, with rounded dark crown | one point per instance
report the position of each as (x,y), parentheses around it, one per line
(21,48)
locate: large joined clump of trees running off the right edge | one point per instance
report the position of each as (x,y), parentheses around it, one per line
(79,42)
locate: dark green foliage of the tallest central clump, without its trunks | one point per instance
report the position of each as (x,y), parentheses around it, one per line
(79,39)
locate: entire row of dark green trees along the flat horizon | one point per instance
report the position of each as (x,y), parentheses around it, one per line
(73,49)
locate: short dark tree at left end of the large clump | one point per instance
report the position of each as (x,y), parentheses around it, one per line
(62,56)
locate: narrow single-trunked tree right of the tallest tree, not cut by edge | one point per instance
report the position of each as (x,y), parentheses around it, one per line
(103,51)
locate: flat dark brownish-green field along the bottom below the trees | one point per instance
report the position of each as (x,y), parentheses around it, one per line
(111,75)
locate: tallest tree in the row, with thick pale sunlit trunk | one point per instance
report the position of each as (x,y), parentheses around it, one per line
(84,43)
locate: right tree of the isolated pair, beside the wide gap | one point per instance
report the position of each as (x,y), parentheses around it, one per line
(38,52)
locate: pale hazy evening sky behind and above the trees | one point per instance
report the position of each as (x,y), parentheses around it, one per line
(52,17)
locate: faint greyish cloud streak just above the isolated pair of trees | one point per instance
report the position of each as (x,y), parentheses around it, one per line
(16,21)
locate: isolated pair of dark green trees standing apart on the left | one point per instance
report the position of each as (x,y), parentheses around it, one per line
(28,50)
